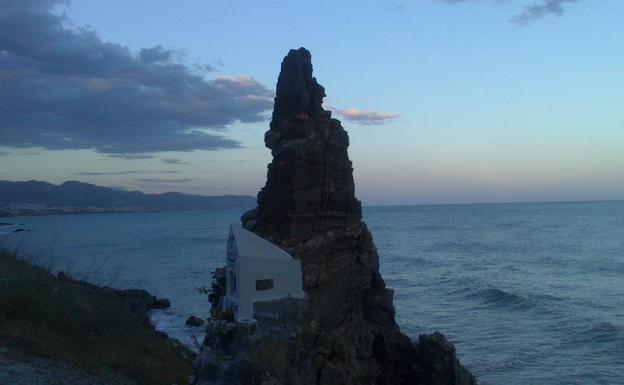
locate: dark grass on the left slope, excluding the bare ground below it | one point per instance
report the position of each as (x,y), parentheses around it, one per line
(77,323)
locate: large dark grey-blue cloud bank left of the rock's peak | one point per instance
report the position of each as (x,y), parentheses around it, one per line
(62,87)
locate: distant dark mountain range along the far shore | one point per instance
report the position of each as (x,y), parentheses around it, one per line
(73,196)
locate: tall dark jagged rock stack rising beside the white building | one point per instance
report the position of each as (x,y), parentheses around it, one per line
(348,334)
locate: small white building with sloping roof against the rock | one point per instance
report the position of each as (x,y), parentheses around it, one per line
(256,271)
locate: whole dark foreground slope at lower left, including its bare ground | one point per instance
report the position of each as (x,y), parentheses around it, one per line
(58,330)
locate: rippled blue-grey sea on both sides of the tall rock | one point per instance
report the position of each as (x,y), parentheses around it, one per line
(530,294)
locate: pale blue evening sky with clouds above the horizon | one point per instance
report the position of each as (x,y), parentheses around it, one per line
(445,101)
